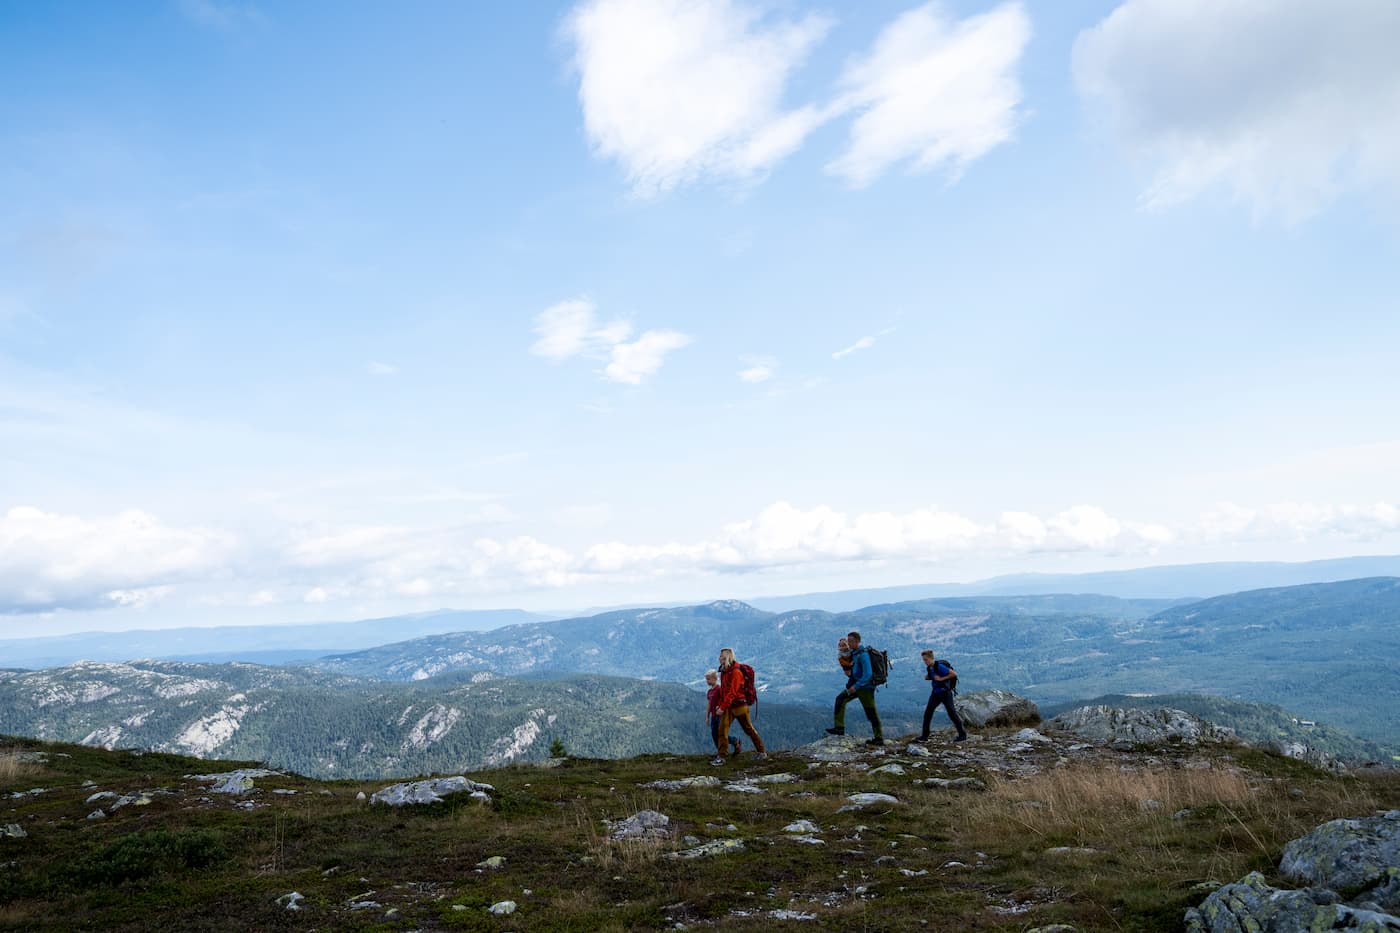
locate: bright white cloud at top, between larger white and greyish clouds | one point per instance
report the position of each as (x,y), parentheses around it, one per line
(934,92)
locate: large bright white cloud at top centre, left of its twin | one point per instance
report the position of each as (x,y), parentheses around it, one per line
(677,90)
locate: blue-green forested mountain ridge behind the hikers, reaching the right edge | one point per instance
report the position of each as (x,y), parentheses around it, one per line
(1329,652)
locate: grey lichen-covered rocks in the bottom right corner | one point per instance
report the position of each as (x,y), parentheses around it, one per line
(1353,872)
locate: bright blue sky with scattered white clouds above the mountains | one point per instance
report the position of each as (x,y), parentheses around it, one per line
(346,310)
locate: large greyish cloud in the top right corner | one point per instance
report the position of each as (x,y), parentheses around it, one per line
(1282,103)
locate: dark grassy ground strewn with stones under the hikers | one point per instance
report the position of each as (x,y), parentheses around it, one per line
(194,861)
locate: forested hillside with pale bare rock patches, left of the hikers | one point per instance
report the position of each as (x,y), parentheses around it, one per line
(335,726)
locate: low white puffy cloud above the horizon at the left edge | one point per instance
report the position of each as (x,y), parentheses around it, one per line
(54,562)
